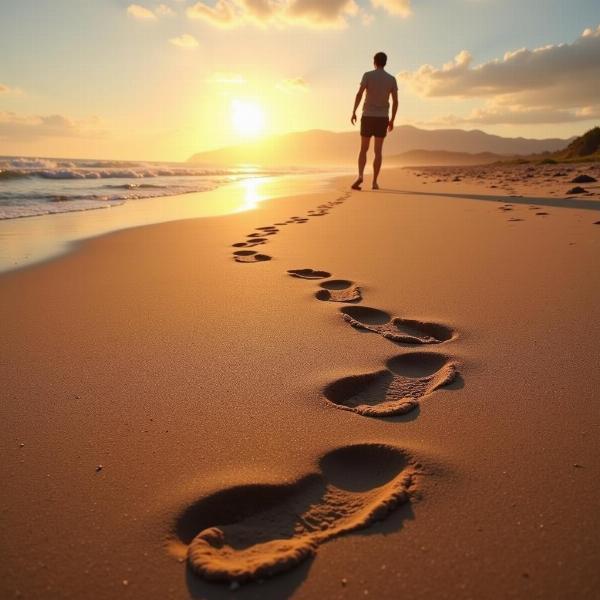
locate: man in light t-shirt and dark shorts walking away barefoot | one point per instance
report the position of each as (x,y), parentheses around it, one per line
(375,121)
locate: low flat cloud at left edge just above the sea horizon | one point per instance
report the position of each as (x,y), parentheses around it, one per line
(31,128)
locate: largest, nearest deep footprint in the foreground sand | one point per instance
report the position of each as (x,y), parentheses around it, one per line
(255,531)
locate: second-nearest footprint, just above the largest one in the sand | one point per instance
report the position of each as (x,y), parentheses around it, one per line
(395,390)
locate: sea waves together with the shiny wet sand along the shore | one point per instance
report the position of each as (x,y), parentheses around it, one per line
(58,198)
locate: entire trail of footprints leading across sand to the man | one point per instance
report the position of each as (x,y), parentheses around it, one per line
(251,532)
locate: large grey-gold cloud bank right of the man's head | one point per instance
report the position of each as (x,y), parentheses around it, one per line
(540,85)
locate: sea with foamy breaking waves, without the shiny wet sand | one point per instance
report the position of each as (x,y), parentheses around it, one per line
(40,186)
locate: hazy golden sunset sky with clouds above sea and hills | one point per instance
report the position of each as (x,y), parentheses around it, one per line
(152,80)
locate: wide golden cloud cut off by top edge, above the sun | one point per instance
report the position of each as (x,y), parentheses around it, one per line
(280,13)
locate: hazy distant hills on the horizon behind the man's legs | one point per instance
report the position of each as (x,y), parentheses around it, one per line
(326,148)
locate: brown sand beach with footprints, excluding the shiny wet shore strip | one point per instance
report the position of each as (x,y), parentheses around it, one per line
(172,394)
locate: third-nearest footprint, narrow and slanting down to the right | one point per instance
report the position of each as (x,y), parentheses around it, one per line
(404,331)
